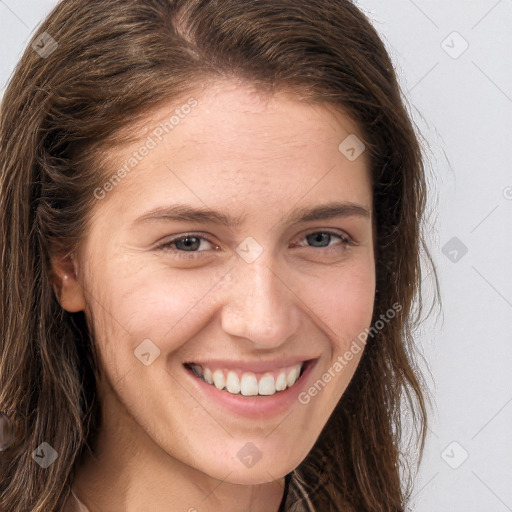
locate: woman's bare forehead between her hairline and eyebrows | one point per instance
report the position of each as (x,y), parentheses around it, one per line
(236,145)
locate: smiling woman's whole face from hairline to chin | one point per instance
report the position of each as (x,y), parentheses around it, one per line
(273,282)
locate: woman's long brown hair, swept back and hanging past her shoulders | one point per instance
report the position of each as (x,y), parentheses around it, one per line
(111,63)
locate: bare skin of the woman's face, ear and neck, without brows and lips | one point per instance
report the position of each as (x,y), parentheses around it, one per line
(161,441)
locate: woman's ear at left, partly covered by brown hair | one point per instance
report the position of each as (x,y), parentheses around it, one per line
(65,283)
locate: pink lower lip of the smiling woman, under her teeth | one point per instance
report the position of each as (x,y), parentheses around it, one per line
(254,406)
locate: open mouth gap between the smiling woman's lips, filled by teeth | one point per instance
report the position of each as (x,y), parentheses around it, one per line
(248,383)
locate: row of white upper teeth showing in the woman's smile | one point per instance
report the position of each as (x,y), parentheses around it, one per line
(249,385)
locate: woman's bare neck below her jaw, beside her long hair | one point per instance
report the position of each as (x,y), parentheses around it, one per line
(131,476)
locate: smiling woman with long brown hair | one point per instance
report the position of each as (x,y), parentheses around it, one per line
(210,225)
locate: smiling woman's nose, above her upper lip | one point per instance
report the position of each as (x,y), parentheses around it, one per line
(260,306)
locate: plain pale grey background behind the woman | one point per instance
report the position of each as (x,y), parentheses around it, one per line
(462,104)
